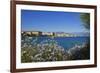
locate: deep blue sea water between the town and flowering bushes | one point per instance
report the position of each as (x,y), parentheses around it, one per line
(65,42)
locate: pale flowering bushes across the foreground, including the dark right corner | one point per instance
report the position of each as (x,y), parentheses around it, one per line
(49,50)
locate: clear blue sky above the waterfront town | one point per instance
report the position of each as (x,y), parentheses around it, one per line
(51,21)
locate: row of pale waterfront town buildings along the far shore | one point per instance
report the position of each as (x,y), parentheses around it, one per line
(52,34)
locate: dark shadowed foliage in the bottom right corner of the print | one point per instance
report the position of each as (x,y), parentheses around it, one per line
(83,53)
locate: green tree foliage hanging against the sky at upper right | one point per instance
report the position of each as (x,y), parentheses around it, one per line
(85,18)
